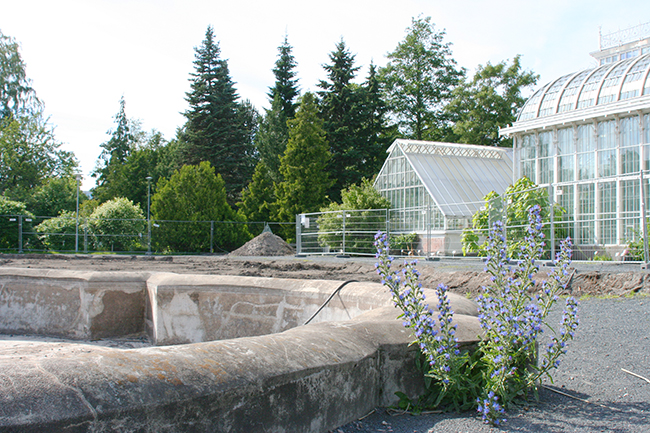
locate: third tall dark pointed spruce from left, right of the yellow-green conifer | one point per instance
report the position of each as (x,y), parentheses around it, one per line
(339,108)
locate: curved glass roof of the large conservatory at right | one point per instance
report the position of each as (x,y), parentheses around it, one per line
(605,84)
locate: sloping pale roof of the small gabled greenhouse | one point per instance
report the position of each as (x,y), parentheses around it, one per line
(458,176)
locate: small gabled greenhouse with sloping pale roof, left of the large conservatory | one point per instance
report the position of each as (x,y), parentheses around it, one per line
(435,188)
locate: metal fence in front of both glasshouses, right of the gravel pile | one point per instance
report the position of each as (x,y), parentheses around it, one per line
(595,234)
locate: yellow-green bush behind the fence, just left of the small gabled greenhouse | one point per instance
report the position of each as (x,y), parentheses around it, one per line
(364,199)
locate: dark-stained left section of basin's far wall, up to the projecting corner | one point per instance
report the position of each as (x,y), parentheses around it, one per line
(71,304)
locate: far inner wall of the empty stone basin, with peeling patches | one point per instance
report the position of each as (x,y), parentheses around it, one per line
(172,308)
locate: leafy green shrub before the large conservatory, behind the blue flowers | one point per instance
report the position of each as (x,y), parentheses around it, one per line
(512,208)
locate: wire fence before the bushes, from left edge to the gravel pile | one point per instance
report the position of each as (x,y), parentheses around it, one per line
(23,233)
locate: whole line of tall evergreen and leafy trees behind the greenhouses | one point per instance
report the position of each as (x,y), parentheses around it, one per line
(230,162)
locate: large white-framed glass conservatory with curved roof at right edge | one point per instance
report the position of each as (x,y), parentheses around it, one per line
(586,136)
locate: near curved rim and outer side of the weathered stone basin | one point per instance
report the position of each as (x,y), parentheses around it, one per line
(307,379)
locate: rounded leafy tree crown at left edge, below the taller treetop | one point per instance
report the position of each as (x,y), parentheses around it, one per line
(30,156)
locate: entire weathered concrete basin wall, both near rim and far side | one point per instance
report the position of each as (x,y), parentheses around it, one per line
(306,379)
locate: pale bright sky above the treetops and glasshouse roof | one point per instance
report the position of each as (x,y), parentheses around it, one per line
(82,56)
